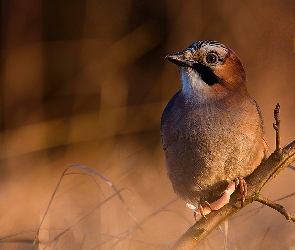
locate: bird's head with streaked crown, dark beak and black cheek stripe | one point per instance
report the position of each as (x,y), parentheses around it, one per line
(209,71)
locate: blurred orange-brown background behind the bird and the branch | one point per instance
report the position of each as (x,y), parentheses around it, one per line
(85,82)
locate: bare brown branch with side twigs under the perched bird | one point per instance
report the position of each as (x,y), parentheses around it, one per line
(264,173)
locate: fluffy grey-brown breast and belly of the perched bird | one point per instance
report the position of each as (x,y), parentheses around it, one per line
(206,145)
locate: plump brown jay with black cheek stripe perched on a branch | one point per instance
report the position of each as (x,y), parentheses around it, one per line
(212,130)
